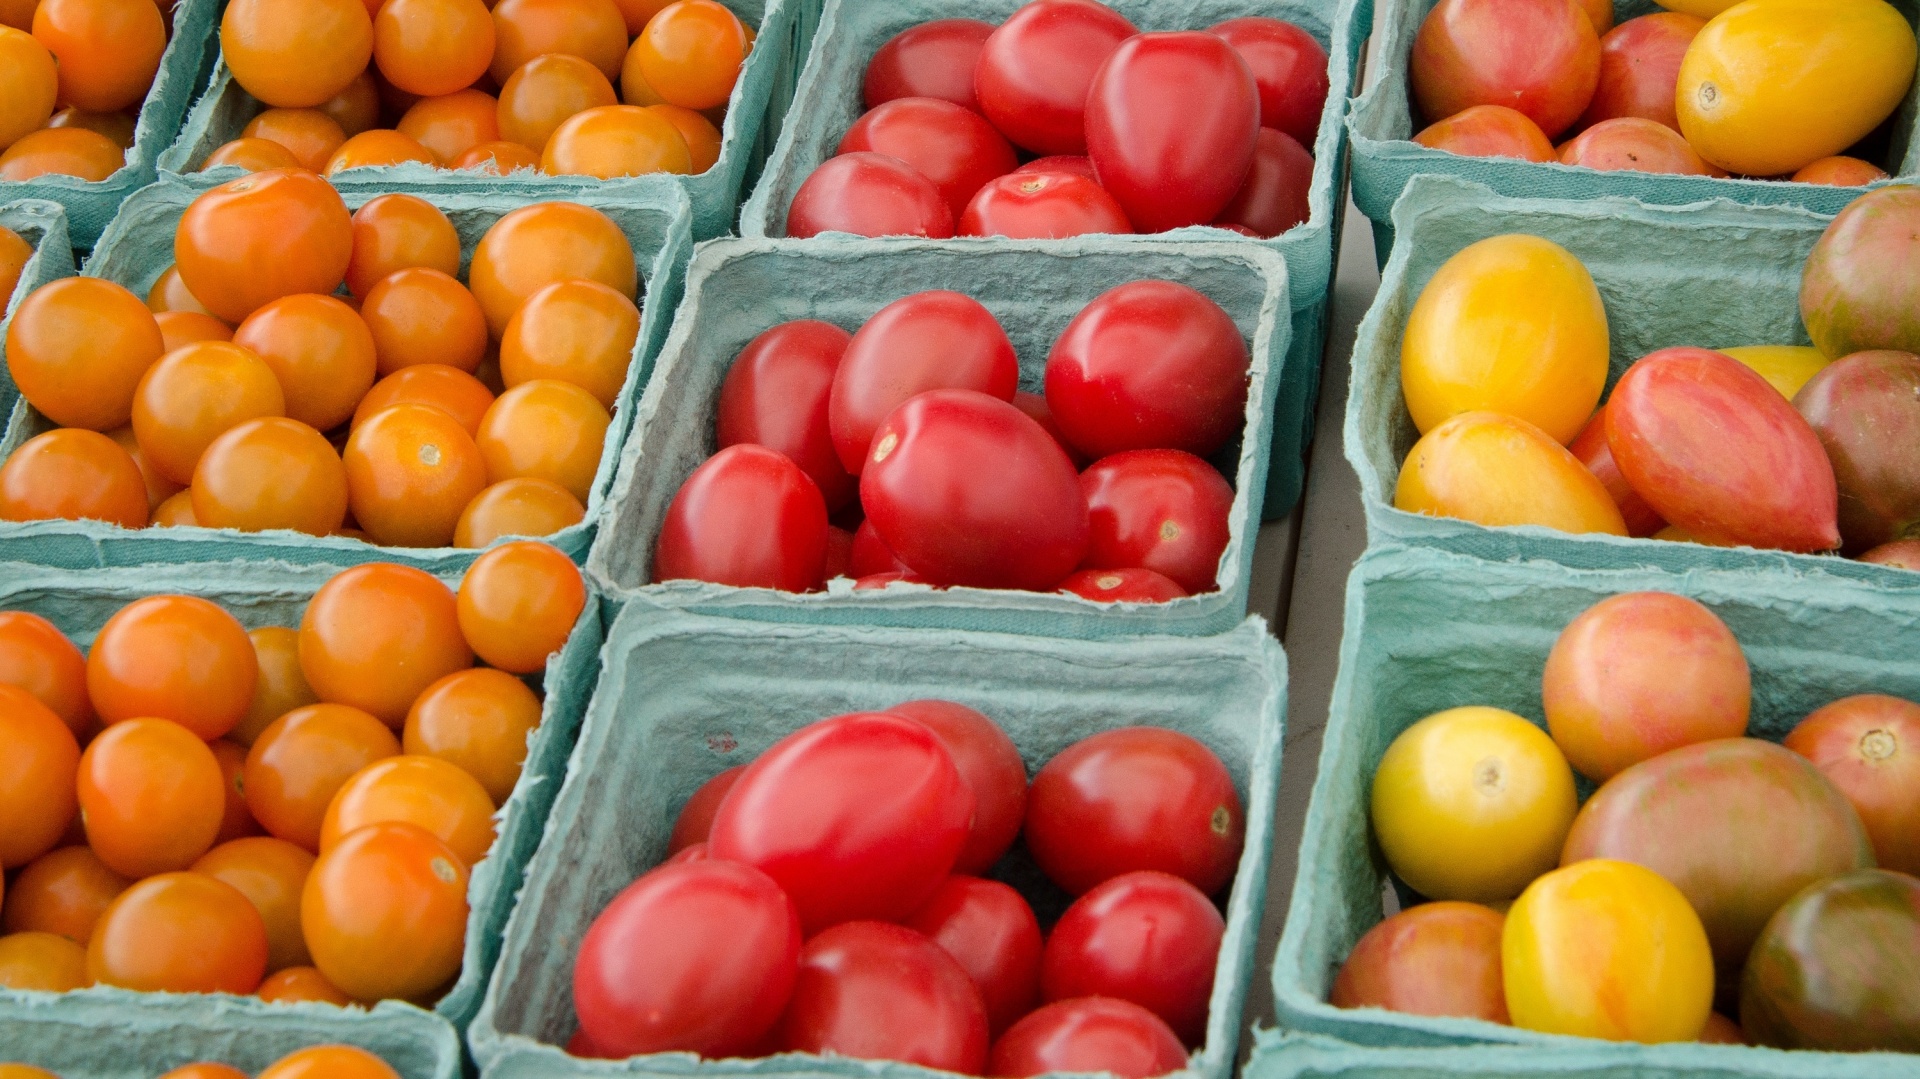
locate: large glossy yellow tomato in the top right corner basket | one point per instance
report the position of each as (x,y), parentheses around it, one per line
(1773,85)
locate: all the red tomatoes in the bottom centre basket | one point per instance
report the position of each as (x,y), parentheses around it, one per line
(828,899)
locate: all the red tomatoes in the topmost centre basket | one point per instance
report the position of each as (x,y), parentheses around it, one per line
(1134,132)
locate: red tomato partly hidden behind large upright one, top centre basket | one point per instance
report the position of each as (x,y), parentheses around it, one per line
(1036,72)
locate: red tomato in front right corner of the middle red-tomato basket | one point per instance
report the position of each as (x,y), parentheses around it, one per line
(1161,510)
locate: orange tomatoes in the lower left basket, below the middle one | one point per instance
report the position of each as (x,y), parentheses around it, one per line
(283,813)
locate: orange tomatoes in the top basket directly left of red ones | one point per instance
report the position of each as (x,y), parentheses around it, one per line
(496,87)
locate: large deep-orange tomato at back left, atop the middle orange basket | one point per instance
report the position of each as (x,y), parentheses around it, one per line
(258,239)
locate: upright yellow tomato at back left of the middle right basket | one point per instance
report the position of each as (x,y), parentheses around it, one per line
(1510,325)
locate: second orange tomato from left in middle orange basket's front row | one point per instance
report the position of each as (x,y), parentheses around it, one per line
(272,473)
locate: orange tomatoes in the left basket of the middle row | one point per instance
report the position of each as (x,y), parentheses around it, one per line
(416,412)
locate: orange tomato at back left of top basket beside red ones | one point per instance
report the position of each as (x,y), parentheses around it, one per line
(297,55)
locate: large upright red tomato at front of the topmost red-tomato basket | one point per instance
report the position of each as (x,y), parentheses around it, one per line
(1172,128)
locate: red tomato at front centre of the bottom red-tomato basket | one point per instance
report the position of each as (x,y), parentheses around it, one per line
(878,992)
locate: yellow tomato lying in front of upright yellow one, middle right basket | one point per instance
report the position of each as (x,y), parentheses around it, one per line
(1495,469)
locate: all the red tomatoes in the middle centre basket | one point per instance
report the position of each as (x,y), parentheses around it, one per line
(915,439)
